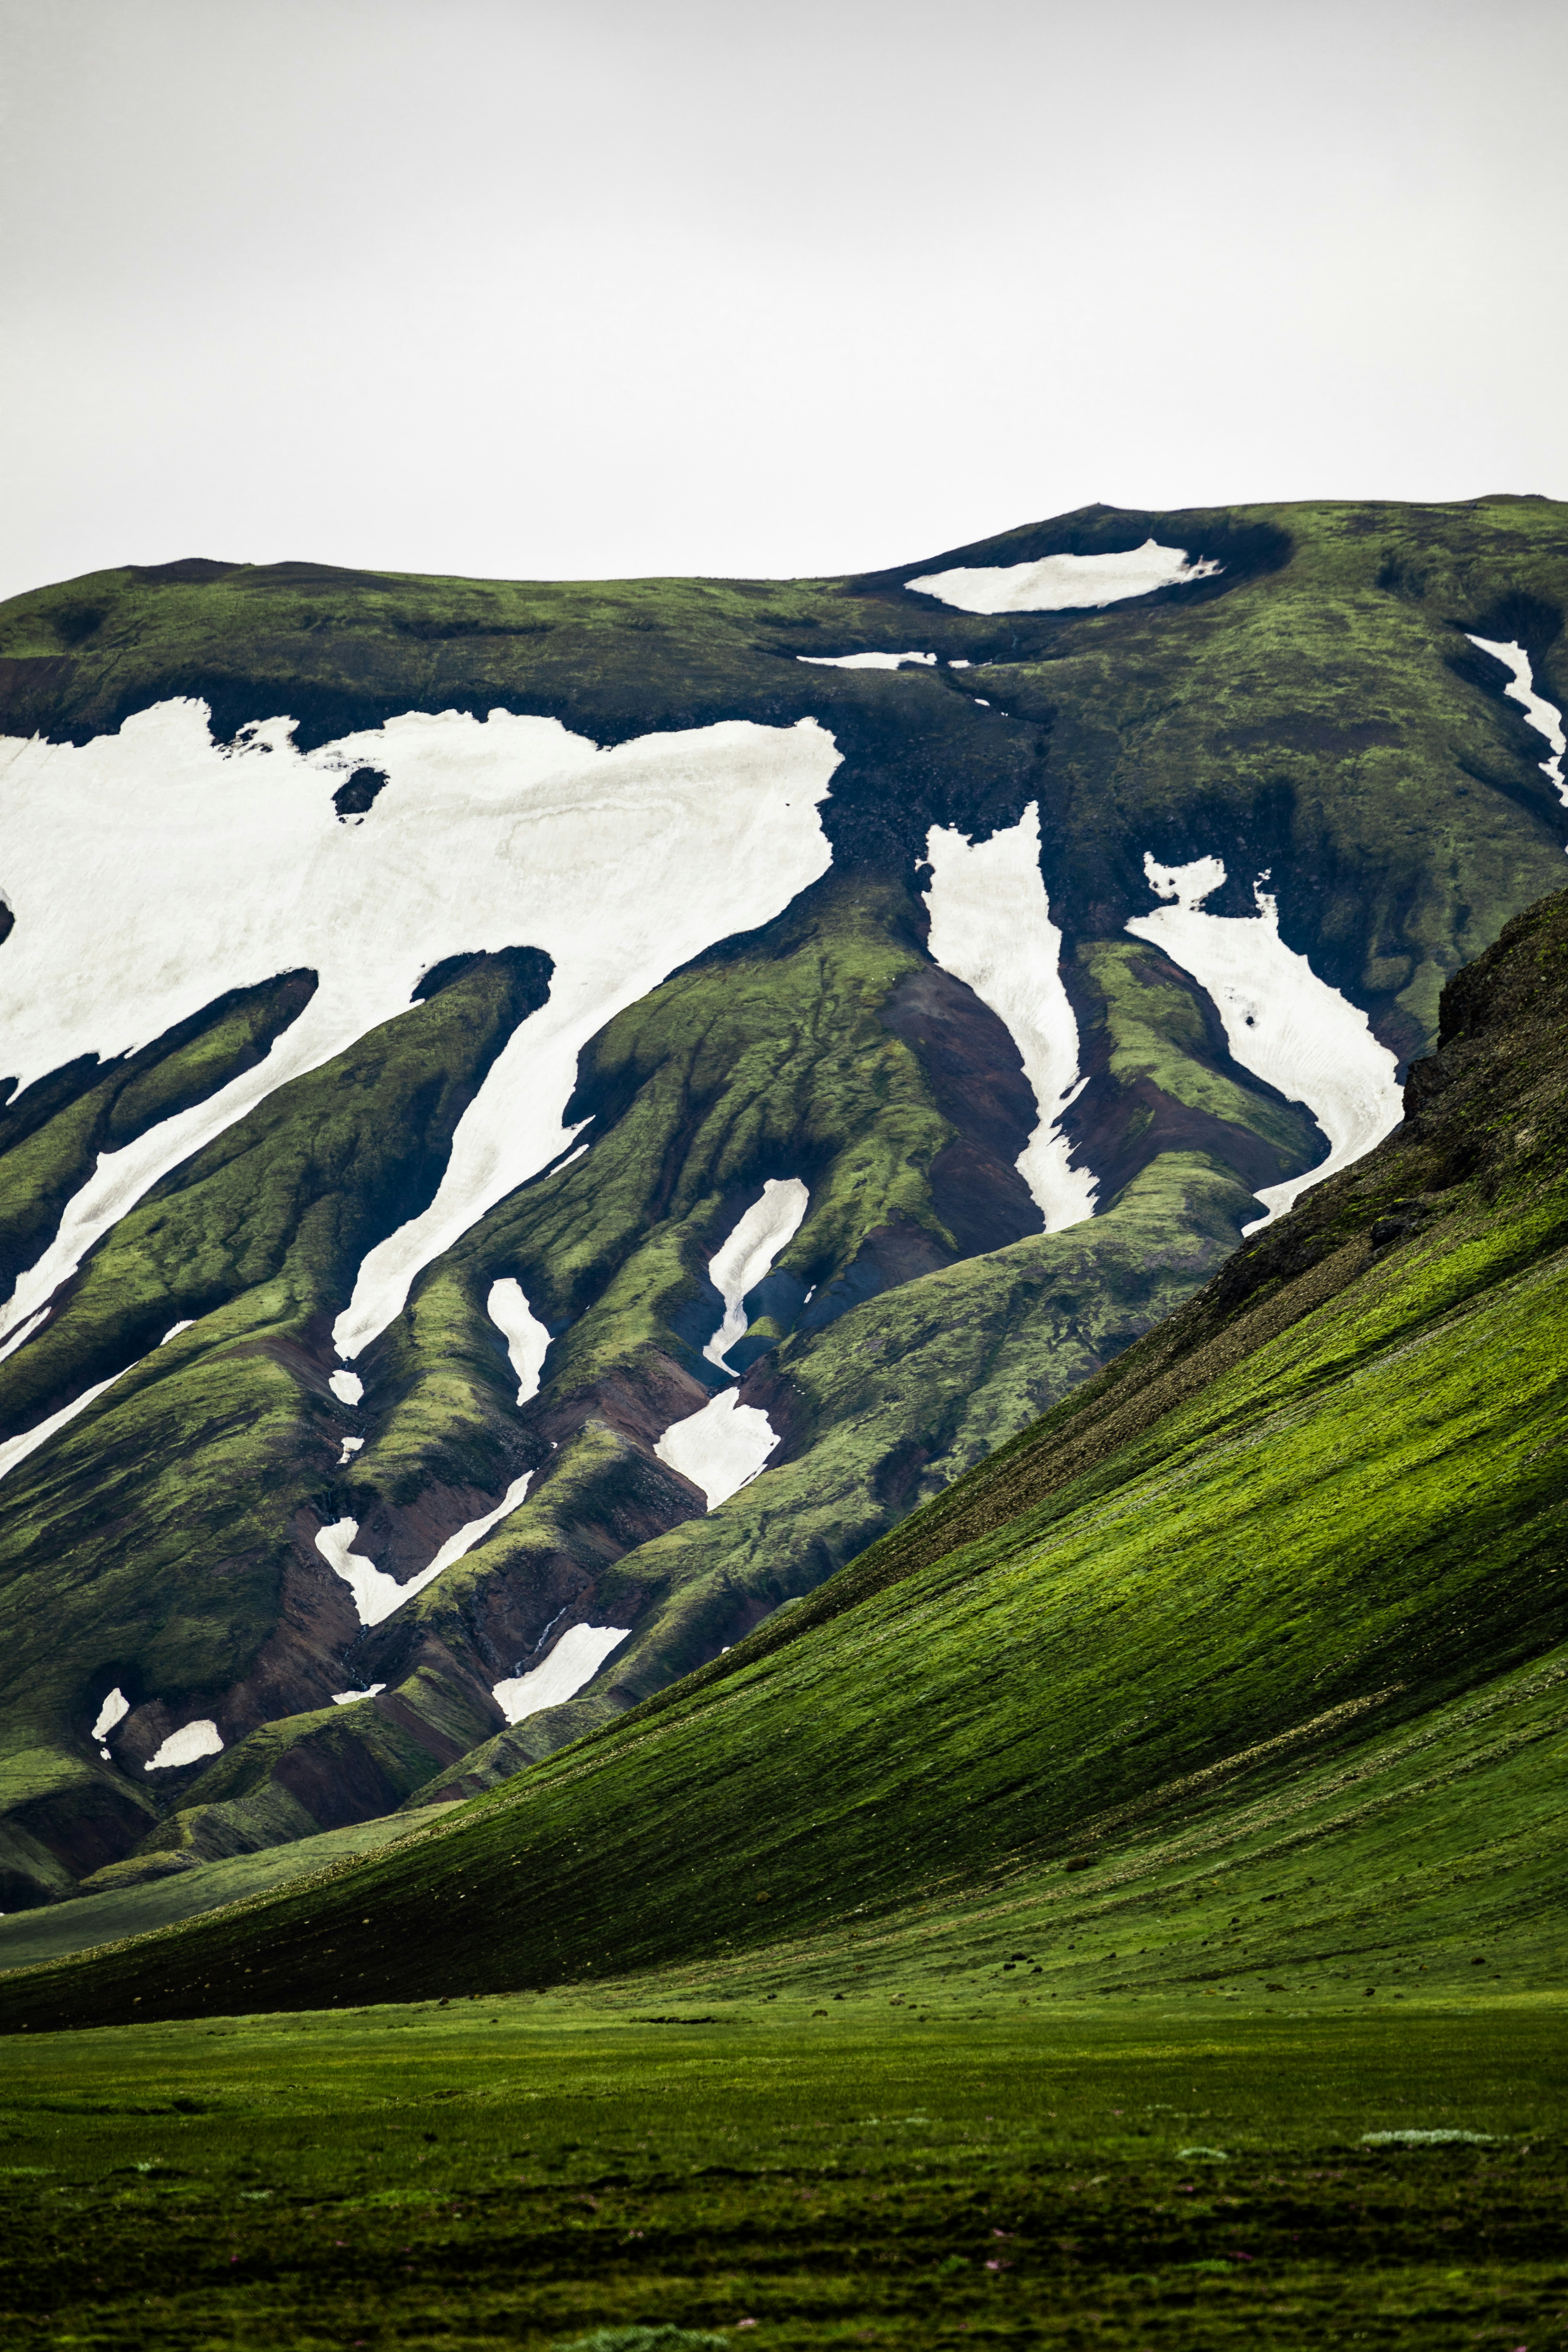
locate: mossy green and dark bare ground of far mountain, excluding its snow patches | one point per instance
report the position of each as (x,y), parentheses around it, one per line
(1313,709)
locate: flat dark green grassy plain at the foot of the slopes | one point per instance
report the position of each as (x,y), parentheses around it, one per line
(525,2170)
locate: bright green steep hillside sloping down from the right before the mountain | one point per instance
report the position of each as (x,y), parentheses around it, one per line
(1271,1612)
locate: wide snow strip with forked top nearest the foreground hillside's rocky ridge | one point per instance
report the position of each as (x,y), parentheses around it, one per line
(1282,1022)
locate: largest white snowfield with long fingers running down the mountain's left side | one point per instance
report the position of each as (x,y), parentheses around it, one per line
(152,871)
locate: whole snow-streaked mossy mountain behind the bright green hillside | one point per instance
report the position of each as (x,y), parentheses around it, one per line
(549,1121)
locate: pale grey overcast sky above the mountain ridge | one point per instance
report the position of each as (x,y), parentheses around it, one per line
(589,288)
